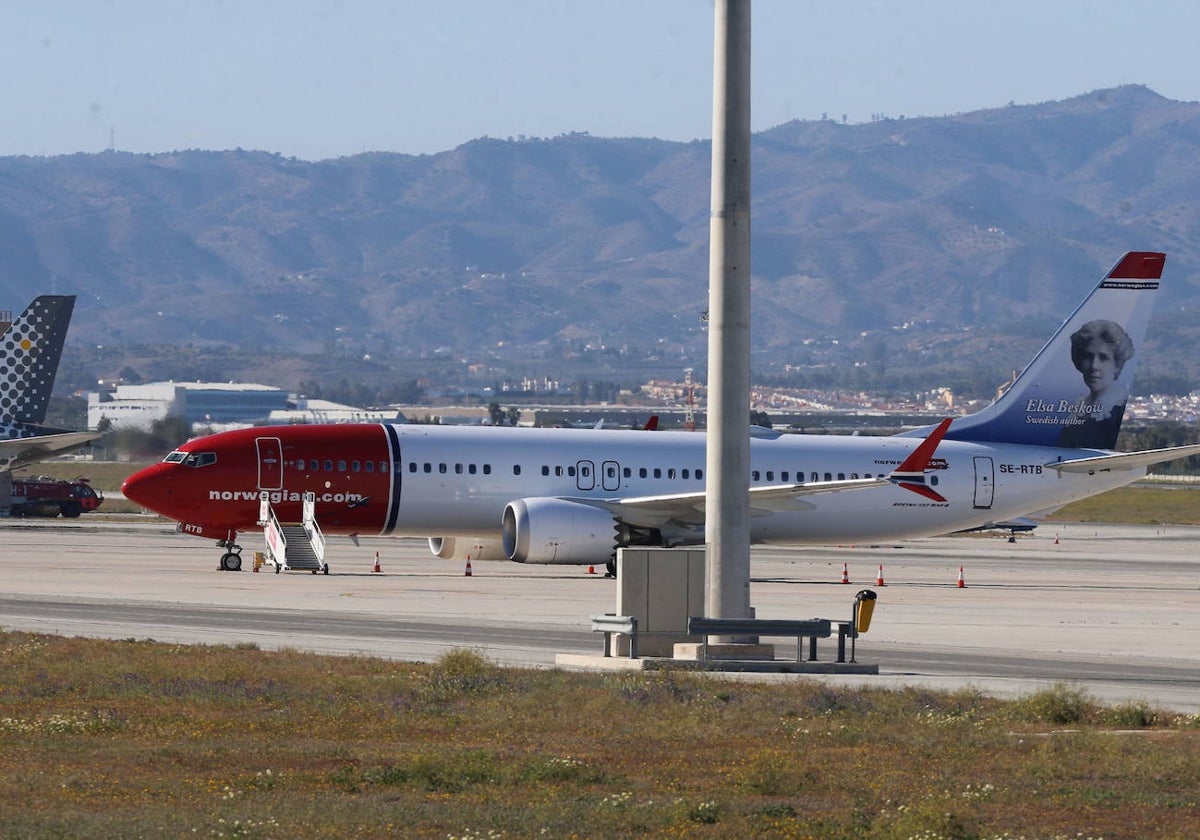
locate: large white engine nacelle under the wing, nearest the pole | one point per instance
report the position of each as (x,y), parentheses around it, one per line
(559,532)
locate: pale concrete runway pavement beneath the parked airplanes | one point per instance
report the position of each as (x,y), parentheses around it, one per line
(1112,609)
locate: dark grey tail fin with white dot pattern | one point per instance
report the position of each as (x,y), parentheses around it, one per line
(29,359)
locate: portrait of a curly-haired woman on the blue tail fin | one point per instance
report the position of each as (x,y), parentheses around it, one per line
(1100,351)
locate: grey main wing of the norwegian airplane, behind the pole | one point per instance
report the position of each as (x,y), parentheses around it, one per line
(689,508)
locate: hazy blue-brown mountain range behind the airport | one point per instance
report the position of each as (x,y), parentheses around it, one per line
(903,243)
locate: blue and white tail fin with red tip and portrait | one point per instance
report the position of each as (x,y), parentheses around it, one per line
(1075,392)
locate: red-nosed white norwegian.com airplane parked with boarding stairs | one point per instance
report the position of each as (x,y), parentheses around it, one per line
(577,496)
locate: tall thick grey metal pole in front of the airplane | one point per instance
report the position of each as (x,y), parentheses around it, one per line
(728,506)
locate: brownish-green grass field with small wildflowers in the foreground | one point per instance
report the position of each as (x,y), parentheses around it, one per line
(139,740)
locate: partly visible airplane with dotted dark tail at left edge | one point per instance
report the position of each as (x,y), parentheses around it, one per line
(29,361)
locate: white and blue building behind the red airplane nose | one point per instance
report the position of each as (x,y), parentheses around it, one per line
(199,403)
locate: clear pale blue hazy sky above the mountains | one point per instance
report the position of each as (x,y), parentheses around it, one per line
(315,80)
